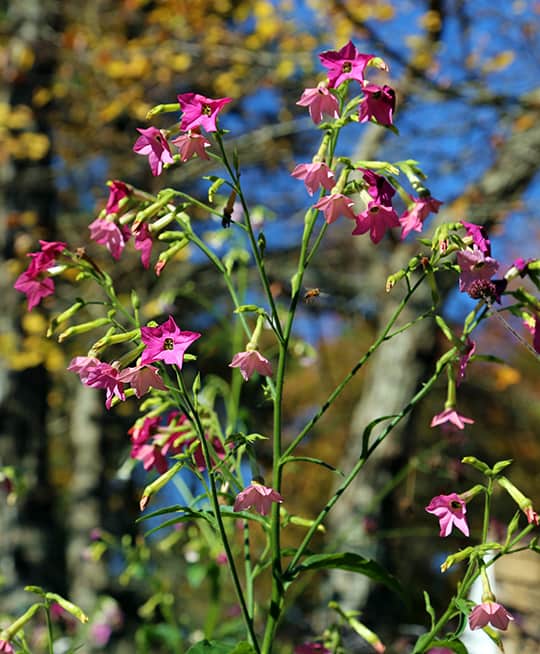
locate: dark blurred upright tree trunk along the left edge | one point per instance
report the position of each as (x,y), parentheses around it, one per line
(32,553)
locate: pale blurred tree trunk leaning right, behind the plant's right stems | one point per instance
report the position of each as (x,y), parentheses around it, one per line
(397,370)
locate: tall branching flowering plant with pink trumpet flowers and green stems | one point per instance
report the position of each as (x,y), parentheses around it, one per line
(146,356)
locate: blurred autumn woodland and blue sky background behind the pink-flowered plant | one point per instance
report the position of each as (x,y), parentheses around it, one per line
(78,79)
